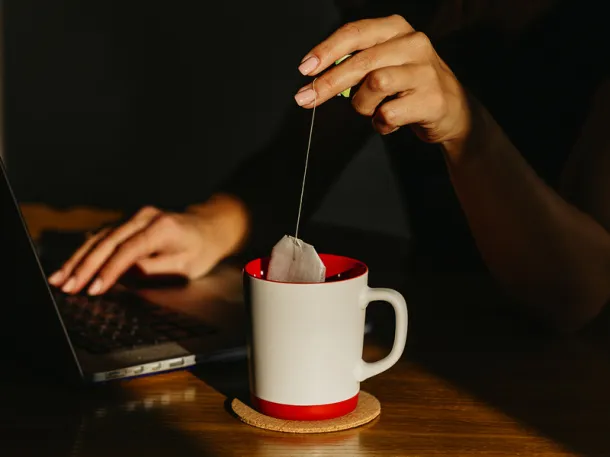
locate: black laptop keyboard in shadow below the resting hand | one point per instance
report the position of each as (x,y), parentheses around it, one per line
(104,324)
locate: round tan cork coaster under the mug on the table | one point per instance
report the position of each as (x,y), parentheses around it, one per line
(368,409)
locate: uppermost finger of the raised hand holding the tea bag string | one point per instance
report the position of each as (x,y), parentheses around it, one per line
(352,37)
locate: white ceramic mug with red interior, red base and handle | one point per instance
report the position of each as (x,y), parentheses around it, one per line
(306,340)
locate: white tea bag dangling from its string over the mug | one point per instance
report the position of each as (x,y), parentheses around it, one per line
(293,260)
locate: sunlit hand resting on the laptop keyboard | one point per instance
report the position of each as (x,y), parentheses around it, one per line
(186,244)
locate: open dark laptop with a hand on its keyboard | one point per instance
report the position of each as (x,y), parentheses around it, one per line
(82,339)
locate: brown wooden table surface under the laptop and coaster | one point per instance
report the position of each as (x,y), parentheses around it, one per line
(476,380)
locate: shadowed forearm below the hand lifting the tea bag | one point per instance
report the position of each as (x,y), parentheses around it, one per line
(552,256)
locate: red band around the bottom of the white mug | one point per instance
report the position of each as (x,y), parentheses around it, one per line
(304,413)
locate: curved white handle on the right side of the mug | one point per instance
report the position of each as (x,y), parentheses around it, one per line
(366,370)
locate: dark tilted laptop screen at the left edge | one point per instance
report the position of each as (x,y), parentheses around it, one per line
(32,334)
